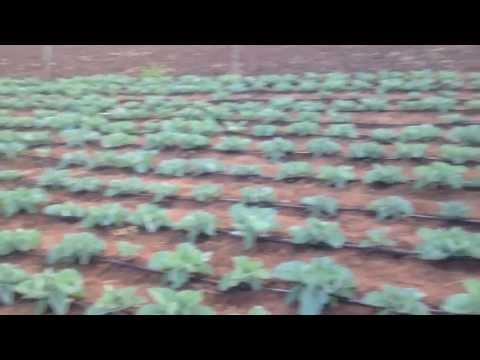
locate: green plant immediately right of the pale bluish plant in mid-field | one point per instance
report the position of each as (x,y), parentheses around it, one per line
(316,232)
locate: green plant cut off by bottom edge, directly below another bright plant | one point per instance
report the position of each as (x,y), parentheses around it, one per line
(170,302)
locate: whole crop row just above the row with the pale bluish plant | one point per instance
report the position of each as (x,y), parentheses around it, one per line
(318,206)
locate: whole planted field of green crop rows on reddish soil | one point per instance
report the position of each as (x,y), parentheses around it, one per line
(332,193)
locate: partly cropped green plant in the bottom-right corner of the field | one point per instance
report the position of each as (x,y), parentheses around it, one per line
(467,303)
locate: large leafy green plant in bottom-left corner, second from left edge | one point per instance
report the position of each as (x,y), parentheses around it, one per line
(52,290)
